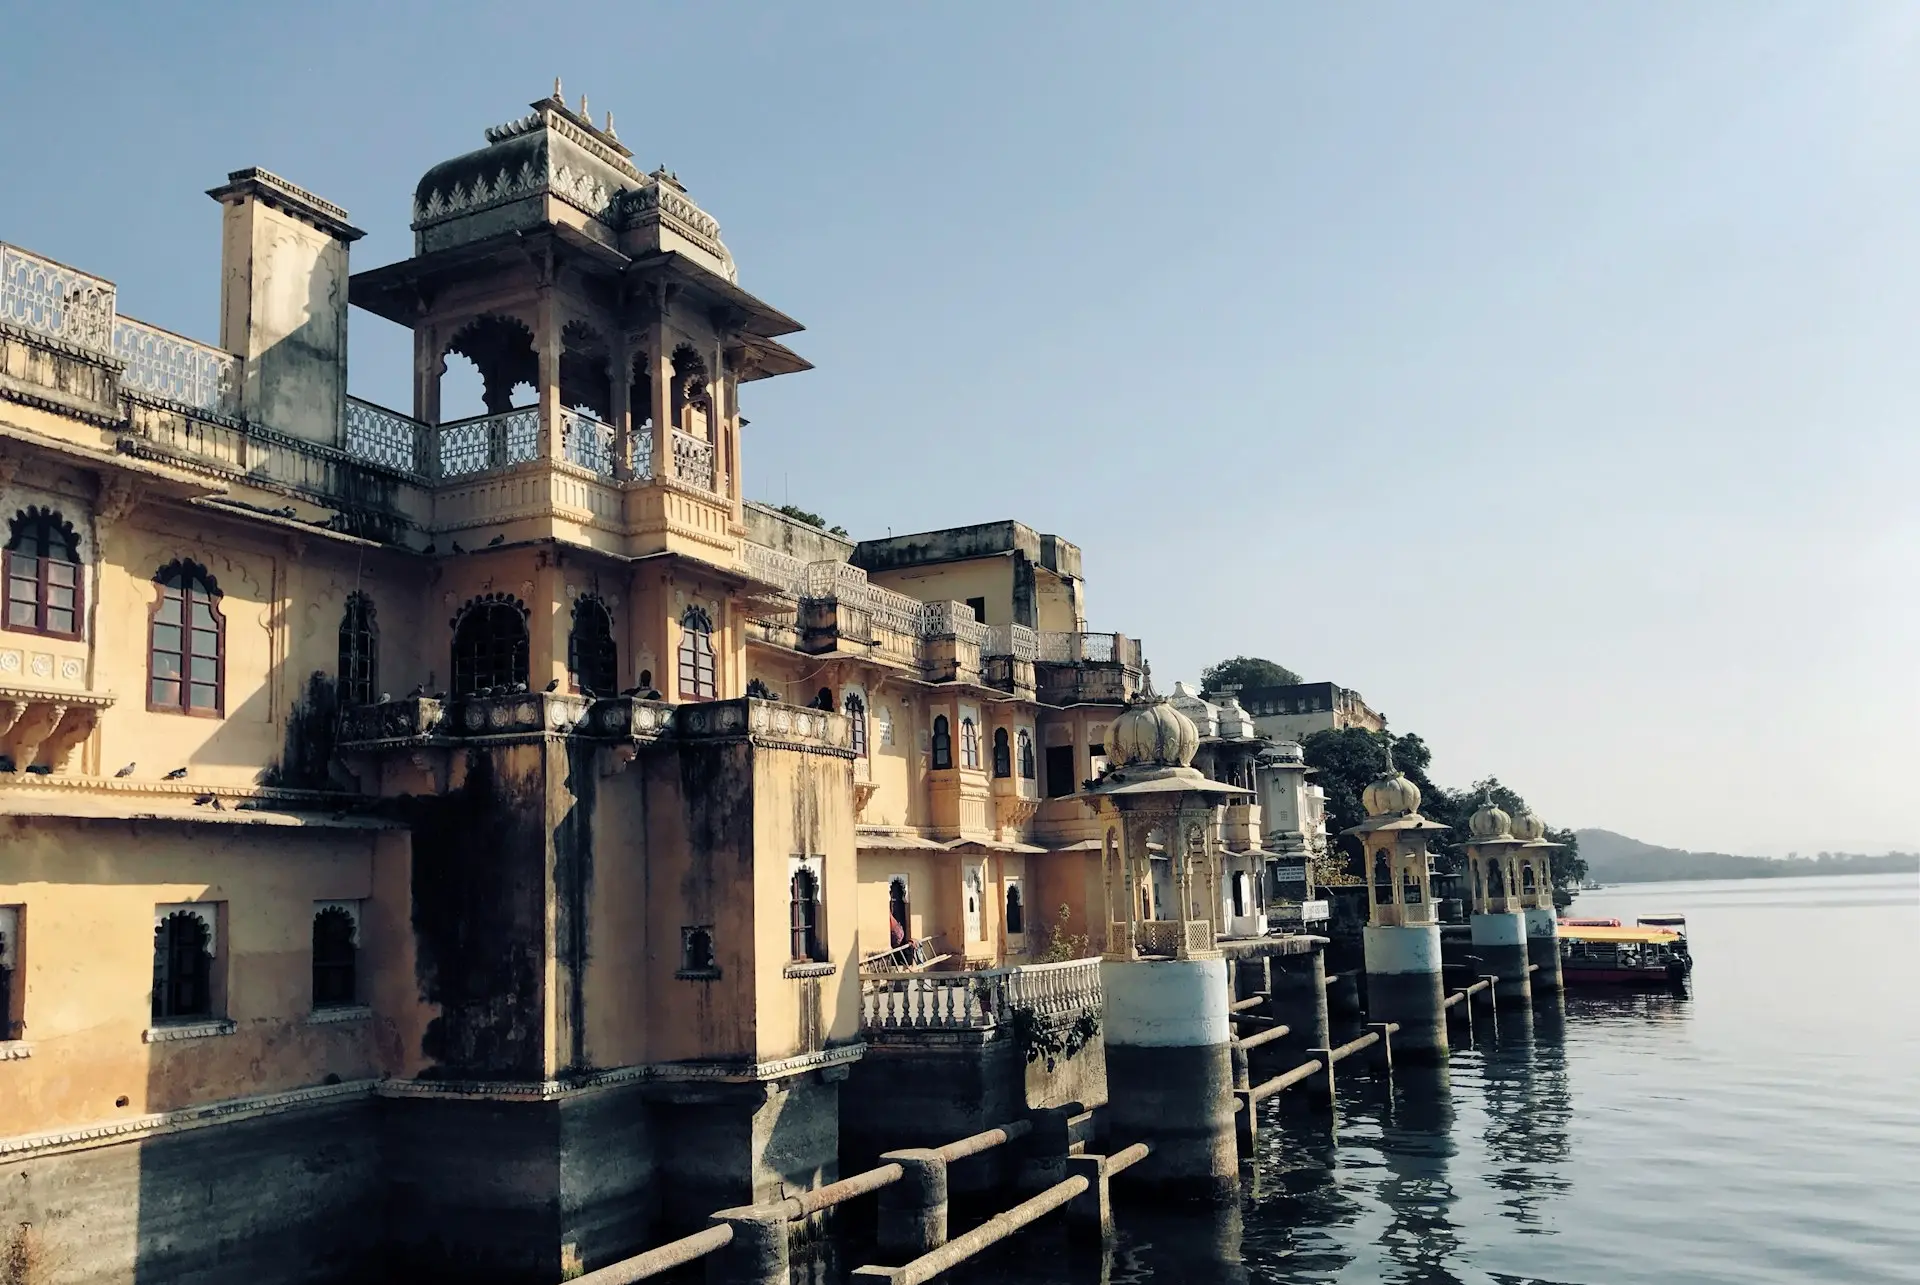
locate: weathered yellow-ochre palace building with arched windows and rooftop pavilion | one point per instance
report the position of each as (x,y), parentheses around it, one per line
(458,842)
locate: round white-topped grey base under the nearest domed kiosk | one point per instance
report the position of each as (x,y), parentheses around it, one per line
(1170,1073)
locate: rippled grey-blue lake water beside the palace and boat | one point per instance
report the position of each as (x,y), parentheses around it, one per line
(1762,1130)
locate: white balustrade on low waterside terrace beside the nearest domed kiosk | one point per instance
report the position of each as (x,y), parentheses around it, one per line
(978,1000)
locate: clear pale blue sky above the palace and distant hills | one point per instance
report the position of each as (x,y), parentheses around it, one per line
(1547,374)
